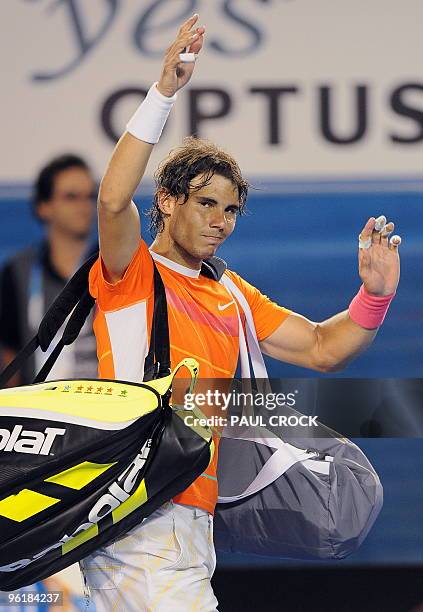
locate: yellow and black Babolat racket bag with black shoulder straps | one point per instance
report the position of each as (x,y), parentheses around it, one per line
(84,461)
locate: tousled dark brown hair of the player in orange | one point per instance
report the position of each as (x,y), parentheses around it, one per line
(194,157)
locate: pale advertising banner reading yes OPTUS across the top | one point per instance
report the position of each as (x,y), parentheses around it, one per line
(293,88)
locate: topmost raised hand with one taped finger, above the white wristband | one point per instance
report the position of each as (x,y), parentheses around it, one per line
(175,74)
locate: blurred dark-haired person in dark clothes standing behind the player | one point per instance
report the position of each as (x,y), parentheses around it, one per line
(63,201)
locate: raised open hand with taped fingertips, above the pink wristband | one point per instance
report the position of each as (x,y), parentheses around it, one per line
(378,257)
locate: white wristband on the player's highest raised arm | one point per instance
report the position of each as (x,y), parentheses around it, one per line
(149,119)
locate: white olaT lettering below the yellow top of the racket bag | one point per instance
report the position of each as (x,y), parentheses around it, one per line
(22,440)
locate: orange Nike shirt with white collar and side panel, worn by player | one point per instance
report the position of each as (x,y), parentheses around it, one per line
(203,324)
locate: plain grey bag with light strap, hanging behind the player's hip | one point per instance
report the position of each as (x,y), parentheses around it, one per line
(310,495)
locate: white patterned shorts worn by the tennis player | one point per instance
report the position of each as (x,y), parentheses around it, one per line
(164,565)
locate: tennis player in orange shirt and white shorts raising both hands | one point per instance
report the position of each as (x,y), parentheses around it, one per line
(167,562)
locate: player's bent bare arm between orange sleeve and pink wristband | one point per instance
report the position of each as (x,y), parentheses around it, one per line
(327,347)
